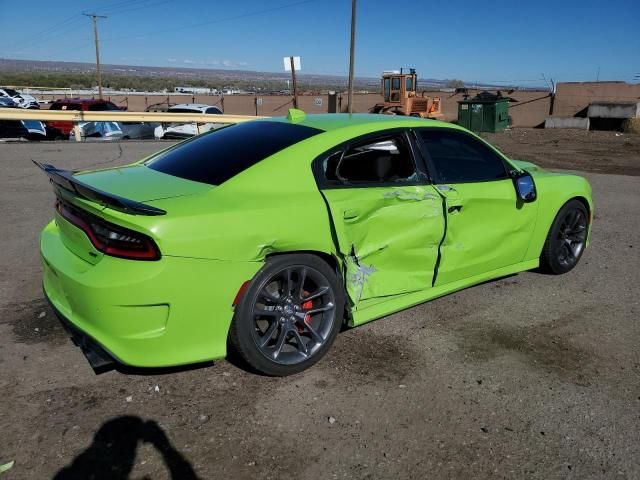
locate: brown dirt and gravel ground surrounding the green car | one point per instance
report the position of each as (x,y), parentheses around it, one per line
(531,376)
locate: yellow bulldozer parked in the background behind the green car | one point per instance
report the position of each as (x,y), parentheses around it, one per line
(399,90)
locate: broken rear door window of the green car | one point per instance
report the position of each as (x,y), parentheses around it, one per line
(374,162)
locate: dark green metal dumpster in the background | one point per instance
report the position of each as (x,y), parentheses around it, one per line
(486,112)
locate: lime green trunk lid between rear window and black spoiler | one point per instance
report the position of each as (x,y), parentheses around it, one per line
(140,183)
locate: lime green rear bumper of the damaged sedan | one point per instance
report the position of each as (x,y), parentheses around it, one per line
(170,312)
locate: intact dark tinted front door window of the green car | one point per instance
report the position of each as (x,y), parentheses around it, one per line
(460,158)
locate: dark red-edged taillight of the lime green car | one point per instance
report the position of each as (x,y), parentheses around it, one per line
(108,238)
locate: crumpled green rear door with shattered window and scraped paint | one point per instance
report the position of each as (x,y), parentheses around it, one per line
(388,220)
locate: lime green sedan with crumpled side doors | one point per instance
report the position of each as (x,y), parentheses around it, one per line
(266,236)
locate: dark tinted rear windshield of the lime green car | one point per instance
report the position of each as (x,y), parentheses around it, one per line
(217,156)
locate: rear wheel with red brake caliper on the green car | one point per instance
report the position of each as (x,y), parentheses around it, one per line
(300,299)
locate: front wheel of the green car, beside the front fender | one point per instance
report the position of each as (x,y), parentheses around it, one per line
(566,239)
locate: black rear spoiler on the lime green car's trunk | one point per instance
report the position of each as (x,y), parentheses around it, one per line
(64,179)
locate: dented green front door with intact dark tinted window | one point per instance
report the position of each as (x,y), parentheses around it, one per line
(487,227)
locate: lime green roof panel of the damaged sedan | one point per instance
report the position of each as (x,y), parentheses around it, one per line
(335,121)
